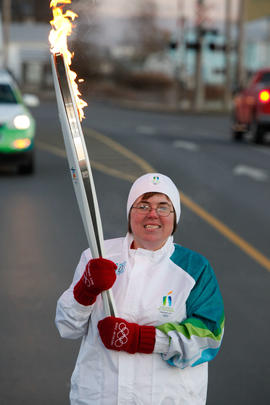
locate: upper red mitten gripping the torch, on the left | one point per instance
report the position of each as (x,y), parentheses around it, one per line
(99,275)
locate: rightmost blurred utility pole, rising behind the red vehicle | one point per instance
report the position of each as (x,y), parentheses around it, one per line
(240,71)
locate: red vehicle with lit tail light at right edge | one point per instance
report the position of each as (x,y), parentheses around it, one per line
(251,110)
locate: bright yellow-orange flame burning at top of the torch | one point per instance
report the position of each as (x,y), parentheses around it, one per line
(61,30)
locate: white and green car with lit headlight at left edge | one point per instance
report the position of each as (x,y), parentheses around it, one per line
(17,127)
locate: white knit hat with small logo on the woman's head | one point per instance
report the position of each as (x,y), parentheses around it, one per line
(155,182)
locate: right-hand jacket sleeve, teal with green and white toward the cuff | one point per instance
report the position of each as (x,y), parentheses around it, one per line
(196,339)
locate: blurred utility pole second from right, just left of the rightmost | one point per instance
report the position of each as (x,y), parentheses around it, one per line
(228,47)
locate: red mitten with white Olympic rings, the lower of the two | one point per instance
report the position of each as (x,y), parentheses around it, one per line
(118,334)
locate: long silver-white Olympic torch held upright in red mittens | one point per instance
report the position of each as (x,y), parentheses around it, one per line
(79,164)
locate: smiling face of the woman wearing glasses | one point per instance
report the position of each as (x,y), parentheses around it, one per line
(151,231)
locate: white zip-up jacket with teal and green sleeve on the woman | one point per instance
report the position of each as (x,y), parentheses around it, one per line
(152,288)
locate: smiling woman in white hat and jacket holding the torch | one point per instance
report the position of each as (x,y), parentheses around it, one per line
(170,311)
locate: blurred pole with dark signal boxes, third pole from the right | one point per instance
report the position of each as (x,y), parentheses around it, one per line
(199,88)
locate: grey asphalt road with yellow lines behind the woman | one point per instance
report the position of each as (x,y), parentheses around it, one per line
(225,216)
